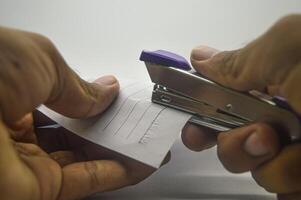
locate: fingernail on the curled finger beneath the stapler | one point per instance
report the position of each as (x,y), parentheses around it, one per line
(254,146)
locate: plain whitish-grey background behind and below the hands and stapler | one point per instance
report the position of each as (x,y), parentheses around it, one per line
(106,37)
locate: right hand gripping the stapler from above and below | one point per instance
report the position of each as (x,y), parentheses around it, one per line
(271,64)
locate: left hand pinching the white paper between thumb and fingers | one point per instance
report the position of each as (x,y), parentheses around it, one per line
(52,165)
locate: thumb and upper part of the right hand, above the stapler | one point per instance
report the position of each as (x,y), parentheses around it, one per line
(250,68)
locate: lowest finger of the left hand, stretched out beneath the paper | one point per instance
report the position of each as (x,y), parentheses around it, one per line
(86,178)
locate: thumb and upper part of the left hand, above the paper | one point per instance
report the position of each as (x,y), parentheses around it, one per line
(33,70)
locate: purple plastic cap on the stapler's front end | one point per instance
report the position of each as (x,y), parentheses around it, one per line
(165,58)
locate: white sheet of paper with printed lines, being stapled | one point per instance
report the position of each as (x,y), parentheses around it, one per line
(132,126)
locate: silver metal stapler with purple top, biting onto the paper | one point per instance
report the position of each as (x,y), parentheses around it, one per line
(213,106)
